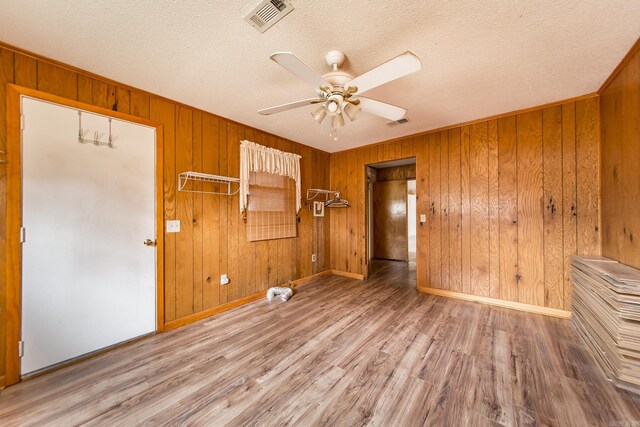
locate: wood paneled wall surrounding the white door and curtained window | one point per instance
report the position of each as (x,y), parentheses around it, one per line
(212,240)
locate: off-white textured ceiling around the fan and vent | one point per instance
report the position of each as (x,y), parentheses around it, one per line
(479,57)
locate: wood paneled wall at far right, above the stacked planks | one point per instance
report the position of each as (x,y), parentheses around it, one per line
(620,121)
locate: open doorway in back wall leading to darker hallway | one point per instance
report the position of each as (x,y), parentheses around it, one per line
(391,217)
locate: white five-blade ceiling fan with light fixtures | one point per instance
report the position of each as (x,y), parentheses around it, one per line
(339,93)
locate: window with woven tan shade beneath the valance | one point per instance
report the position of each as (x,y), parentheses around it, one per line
(271,211)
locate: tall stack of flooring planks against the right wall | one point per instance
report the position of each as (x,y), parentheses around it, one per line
(606,313)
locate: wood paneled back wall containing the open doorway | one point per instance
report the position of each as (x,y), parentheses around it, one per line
(508,201)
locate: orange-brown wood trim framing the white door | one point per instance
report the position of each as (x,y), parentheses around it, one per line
(13,257)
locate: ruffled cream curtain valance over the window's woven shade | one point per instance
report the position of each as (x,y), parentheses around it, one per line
(258,158)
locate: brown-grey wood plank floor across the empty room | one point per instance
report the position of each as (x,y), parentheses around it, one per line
(340,352)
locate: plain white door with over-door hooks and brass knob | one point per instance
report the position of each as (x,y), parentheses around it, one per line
(88,282)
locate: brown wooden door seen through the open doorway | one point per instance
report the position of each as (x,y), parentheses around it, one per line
(390,220)
